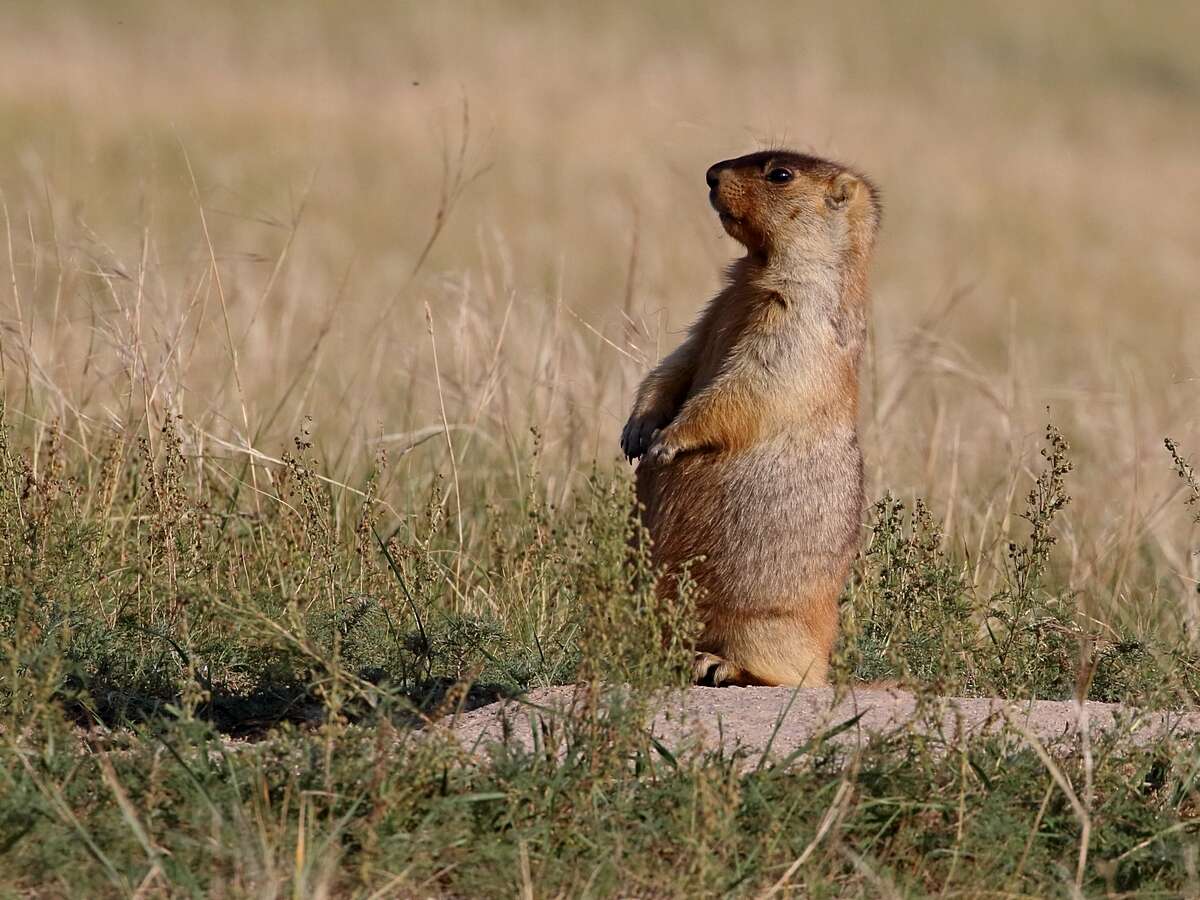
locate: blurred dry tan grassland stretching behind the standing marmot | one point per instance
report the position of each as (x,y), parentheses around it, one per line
(533,176)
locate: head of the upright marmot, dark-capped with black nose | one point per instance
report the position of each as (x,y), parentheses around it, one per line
(778,202)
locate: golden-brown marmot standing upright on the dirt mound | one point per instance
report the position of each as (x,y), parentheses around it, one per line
(748,433)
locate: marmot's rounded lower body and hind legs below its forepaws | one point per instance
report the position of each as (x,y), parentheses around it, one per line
(777,526)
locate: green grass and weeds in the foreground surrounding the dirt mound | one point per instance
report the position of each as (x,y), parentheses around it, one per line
(208,695)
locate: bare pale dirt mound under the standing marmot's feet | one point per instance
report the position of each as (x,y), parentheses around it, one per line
(754,721)
